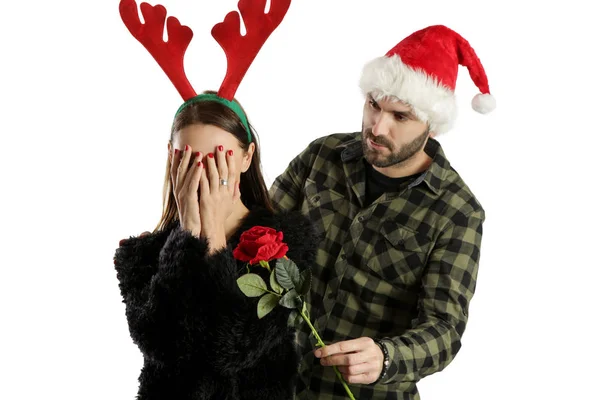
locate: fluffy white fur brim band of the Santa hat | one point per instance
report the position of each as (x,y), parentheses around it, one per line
(431,101)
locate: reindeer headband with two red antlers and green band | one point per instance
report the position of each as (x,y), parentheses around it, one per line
(239,50)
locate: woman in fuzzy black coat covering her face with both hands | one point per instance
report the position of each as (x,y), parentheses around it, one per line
(199,334)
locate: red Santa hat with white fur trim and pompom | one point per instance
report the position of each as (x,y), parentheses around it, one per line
(421,71)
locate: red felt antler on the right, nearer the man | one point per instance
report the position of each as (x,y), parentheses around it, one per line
(241,50)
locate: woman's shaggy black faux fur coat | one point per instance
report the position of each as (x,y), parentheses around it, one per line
(199,334)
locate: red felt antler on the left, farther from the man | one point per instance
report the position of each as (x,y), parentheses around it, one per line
(169,55)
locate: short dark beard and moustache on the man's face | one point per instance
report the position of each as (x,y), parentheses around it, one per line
(406,151)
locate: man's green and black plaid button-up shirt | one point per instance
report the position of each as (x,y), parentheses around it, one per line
(402,269)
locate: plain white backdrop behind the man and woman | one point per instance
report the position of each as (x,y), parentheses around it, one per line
(84,120)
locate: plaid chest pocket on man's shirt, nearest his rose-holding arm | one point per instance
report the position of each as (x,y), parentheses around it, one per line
(399,254)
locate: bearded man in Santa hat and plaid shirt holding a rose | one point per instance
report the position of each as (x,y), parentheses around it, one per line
(401,232)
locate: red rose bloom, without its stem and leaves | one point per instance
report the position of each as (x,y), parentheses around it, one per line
(260,243)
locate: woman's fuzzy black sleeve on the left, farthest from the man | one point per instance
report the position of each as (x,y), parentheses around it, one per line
(170,293)
